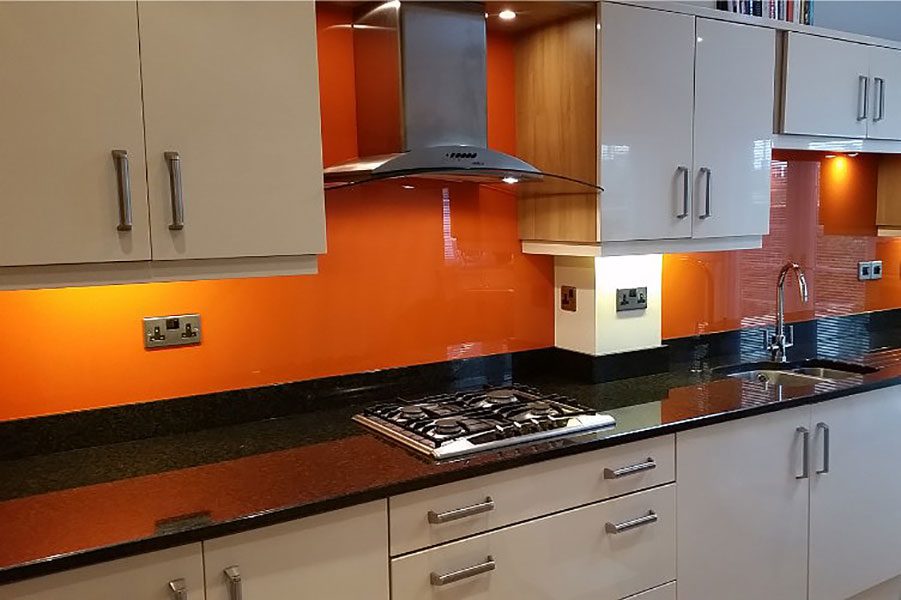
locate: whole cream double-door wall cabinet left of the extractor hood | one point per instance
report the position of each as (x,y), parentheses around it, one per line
(223,96)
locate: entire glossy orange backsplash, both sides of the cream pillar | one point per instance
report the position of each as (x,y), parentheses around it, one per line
(420,275)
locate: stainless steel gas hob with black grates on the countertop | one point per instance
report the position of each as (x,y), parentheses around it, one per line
(450,425)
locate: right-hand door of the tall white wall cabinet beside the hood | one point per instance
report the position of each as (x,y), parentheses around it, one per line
(733,129)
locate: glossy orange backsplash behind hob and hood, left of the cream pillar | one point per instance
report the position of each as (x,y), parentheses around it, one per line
(411,276)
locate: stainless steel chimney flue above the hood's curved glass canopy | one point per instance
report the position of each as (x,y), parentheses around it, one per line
(421,76)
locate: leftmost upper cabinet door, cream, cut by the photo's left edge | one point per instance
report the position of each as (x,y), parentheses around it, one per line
(70,92)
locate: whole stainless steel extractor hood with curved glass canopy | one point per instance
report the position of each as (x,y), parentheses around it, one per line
(421,94)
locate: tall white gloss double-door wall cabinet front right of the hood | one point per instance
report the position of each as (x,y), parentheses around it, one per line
(686,136)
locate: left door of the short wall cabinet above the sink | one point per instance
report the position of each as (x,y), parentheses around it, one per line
(826,87)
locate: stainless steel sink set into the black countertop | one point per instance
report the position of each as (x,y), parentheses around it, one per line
(808,372)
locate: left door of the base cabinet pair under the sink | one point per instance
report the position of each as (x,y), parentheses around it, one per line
(742,522)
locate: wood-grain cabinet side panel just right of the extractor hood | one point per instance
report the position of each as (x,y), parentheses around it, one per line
(556,126)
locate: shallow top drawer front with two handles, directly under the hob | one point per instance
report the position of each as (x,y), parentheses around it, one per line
(527,492)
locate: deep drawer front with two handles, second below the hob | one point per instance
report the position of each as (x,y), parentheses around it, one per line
(571,555)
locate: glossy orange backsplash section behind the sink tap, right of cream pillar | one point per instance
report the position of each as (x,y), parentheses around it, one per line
(823,216)
